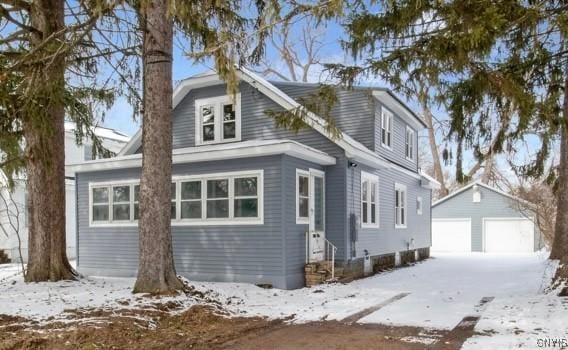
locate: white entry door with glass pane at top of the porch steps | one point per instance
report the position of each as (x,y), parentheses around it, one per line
(317,215)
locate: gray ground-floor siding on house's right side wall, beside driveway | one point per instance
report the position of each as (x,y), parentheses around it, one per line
(387,238)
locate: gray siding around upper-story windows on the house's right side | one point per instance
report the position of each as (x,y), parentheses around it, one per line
(397,152)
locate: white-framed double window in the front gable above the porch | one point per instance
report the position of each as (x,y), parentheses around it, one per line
(217,120)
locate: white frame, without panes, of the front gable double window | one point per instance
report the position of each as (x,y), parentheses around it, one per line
(217,103)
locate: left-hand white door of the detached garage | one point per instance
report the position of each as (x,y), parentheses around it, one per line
(451,235)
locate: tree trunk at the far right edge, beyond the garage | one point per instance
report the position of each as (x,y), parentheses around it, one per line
(560,244)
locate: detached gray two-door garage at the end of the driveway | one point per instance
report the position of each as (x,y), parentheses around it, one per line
(480,218)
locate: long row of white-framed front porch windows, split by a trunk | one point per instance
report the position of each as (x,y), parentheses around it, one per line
(215,199)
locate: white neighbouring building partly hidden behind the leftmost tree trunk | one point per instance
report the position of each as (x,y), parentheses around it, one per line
(112,140)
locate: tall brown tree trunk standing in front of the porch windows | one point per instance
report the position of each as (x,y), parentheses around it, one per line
(156,271)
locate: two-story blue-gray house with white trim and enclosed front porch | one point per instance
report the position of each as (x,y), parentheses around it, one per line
(254,203)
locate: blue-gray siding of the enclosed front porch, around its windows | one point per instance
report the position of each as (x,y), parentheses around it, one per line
(244,253)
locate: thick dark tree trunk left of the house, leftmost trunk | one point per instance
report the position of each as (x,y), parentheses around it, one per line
(45,155)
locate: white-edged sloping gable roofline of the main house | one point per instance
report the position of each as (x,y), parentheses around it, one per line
(353,149)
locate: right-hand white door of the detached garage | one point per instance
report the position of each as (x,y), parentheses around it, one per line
(508,235)
